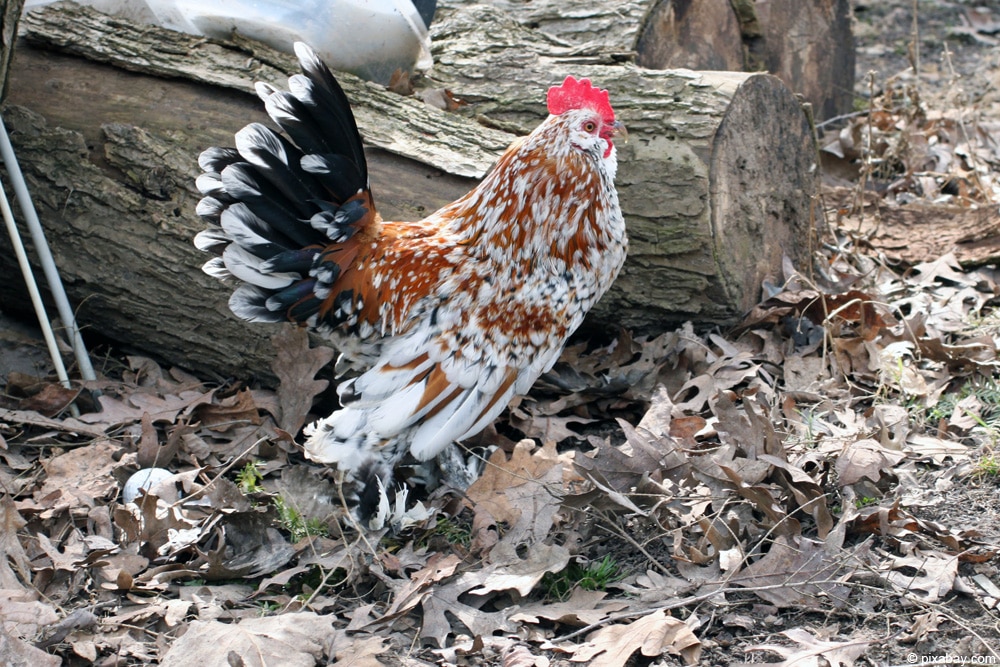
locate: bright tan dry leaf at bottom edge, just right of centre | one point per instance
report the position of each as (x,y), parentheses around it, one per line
(652,635)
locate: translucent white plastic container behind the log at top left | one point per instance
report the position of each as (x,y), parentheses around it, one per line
(370,38)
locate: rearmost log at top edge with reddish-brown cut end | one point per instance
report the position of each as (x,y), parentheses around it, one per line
(806,43)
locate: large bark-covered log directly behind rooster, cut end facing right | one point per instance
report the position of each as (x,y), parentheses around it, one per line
(716,180)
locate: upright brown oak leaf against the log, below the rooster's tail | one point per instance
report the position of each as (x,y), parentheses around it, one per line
(296,365)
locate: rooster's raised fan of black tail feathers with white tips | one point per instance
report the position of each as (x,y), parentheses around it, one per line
(283,202)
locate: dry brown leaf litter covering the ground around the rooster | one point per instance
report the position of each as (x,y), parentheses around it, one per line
(820,485)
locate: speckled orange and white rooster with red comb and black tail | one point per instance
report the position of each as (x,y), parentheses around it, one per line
(446,319)
